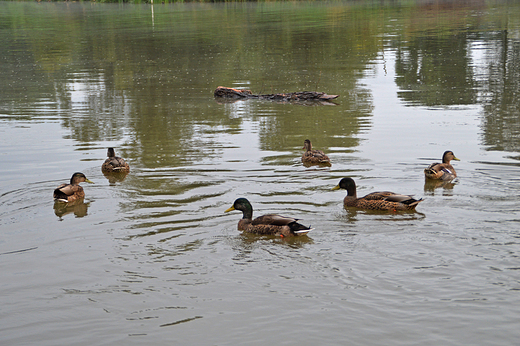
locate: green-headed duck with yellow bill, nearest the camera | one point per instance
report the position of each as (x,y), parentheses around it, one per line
(270,224)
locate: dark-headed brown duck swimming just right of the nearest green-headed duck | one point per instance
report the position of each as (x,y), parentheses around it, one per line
(384,200)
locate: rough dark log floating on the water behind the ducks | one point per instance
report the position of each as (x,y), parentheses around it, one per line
(285,97)
